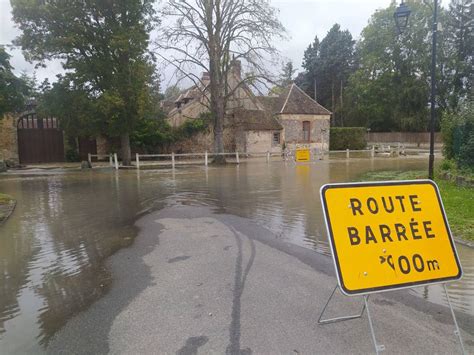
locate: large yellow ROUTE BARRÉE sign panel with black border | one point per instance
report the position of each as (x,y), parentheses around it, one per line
(388,235)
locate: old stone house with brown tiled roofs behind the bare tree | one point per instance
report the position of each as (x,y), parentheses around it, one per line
(255,123)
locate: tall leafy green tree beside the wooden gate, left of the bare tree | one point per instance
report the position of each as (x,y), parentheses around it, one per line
(103,46)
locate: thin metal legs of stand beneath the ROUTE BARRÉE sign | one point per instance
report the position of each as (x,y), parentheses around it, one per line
(380,347)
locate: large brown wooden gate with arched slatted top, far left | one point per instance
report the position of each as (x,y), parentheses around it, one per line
(39,140)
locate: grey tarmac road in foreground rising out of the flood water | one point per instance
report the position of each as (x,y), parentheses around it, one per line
(196,281)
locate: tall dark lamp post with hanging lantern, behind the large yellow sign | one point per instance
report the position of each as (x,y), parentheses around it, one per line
(401,20)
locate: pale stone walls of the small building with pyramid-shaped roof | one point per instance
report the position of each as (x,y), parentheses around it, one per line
(293,130)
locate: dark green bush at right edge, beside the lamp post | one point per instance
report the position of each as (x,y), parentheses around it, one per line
(458,136)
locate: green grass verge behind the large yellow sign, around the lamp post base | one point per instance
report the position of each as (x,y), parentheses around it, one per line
(458,201)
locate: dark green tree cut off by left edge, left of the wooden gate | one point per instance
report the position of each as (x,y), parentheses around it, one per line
(13,90)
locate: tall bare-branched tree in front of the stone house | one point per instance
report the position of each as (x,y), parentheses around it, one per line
(212,35)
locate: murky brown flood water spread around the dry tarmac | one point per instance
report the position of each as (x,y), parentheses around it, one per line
(54,246)
